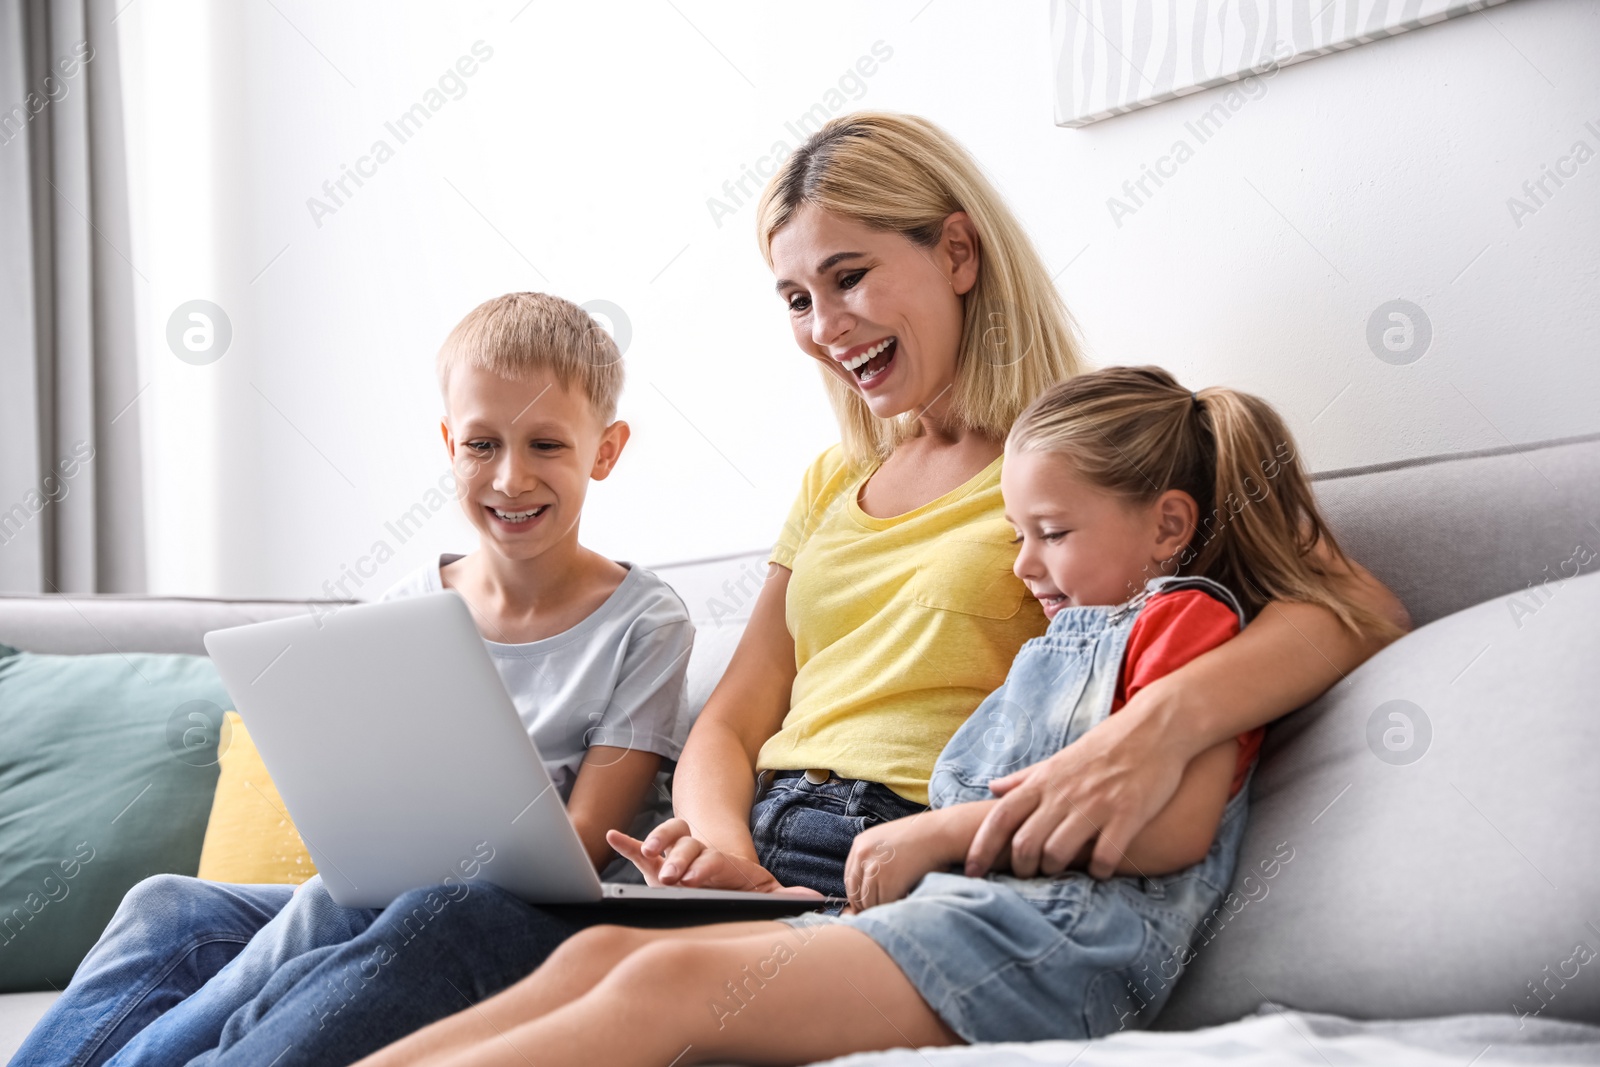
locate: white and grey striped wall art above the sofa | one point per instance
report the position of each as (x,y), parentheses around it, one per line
(1114,57)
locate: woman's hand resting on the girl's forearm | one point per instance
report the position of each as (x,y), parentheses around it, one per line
(1108,785)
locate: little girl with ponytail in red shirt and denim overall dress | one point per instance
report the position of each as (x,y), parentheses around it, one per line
(1151,524)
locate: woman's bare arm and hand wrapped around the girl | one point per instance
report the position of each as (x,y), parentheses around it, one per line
(1118,777)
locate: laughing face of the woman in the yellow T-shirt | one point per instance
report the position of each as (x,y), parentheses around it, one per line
(881,313)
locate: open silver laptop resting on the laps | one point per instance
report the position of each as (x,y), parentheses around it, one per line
(404,764)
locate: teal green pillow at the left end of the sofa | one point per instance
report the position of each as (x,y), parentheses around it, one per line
(108,765)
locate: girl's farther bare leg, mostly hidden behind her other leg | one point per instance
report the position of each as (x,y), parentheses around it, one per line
(572,972)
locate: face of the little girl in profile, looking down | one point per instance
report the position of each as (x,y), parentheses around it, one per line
(1079,545)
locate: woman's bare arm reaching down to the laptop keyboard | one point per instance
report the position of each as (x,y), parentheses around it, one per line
(714,786)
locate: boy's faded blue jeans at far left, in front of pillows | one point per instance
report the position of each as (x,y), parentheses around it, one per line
(177,961)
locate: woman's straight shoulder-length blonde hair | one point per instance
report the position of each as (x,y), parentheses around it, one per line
(906,175)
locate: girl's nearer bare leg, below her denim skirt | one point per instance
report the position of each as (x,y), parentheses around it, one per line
(777,996)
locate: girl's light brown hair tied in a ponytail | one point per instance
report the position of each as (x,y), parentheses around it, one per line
(1137,433)
